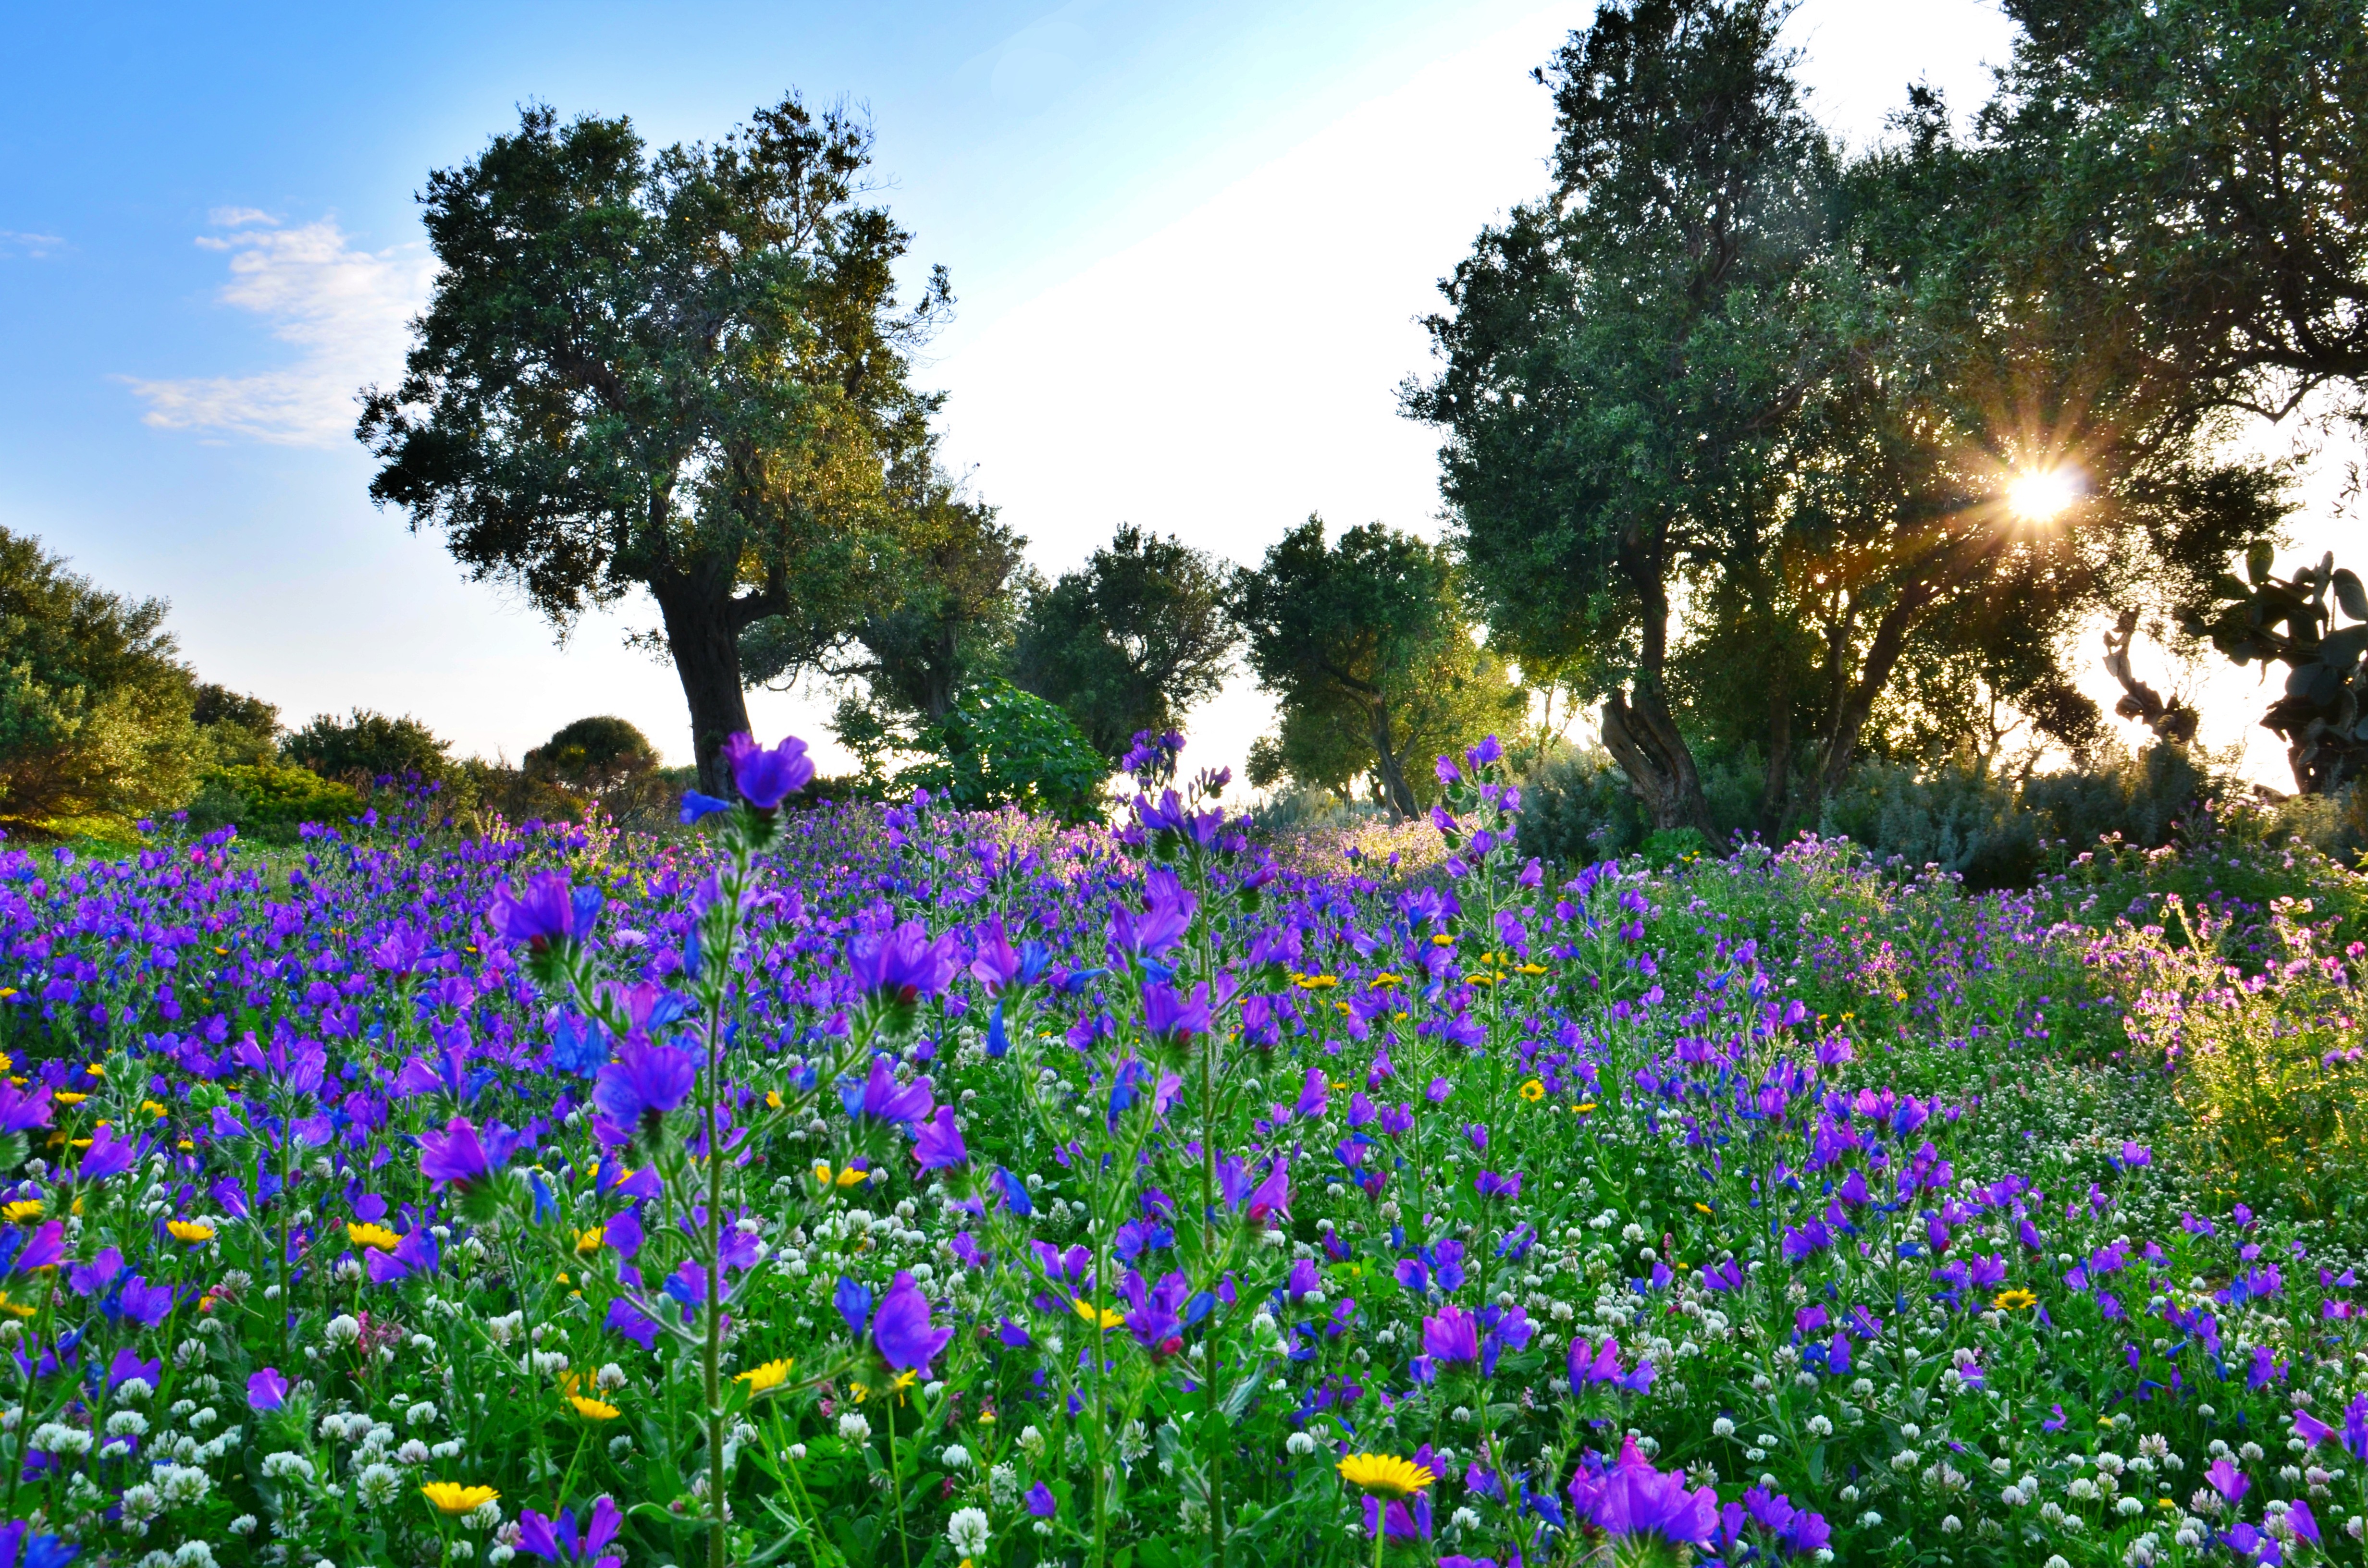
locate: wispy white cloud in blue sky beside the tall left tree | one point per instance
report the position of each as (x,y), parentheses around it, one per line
(340,307)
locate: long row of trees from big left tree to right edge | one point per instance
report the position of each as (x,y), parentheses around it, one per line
(1787,458)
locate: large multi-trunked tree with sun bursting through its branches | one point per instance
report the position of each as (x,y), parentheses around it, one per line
(1789,451)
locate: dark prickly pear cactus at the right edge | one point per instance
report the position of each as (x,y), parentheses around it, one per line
(2324,712)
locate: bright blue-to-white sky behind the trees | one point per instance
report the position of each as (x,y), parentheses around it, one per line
(1190,245)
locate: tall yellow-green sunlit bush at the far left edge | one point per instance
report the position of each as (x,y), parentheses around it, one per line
(96,707)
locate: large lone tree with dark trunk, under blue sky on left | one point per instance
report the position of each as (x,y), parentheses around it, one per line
(678,371)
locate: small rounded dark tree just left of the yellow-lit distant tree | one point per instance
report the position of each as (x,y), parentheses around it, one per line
(1133,641)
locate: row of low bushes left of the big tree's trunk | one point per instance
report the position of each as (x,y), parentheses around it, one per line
(103,724)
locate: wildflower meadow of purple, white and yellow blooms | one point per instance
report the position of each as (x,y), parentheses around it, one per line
(849,1190)
